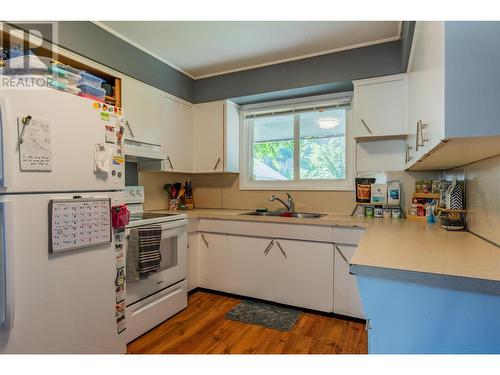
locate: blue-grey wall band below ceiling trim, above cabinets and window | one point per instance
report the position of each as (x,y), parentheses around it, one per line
(311,76)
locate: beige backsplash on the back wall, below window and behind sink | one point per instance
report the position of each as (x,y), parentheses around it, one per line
(222,191)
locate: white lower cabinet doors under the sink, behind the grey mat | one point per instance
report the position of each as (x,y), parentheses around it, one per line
(298,273)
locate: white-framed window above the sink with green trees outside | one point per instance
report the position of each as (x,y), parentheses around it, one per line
(299,146)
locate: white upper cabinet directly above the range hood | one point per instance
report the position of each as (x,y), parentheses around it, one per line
(142,109)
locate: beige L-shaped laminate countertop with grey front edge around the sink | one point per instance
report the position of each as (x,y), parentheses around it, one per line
(402,249)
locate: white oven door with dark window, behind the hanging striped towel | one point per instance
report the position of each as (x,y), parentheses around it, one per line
(173,268)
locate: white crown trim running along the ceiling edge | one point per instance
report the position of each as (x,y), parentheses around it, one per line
(248,67)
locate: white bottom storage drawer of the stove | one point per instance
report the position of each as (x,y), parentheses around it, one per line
(148,313)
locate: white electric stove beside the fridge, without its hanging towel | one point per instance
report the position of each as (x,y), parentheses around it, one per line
(155,297)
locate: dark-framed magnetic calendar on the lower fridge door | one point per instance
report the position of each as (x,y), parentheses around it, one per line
(77,223)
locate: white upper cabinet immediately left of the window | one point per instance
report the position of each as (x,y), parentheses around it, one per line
(216,137)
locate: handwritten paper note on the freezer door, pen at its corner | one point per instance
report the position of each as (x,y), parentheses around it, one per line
(35,153)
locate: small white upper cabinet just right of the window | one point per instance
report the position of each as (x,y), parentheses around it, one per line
(380,106)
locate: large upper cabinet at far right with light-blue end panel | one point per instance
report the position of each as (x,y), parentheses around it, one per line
(453,83)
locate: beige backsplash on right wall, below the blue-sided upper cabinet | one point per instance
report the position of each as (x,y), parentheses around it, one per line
(482,191)
